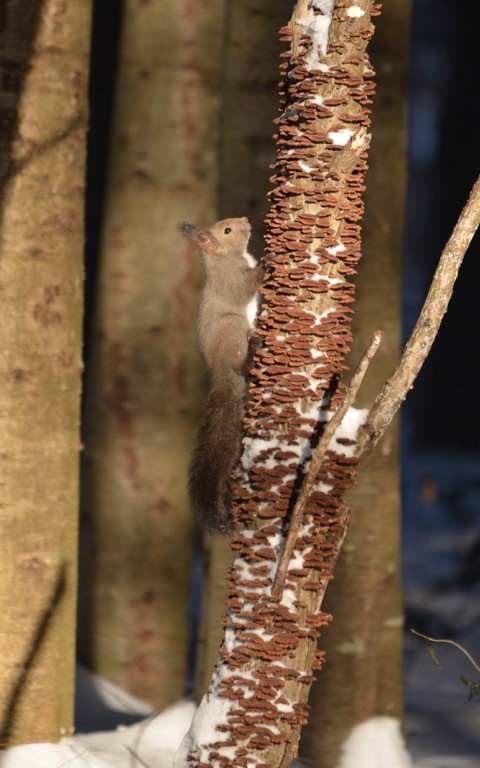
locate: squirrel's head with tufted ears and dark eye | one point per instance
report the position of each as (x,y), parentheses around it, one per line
(226,238)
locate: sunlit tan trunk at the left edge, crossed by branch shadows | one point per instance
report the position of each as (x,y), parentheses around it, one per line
(42,160)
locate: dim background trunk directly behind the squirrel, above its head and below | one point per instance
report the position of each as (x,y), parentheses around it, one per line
(249,105)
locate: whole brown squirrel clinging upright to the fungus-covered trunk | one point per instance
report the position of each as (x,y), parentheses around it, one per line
(226,337)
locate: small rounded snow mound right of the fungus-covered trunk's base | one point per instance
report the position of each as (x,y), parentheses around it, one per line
(376,743)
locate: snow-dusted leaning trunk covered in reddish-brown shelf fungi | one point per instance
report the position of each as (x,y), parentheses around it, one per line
(257,701)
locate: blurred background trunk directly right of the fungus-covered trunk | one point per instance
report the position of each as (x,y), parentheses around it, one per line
(362,676)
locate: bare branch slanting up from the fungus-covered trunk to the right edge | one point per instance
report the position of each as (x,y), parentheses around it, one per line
(397,387)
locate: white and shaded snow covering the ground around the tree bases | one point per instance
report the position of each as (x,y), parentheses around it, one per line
(445,736)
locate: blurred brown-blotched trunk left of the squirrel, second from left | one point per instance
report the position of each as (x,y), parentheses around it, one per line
(145,381)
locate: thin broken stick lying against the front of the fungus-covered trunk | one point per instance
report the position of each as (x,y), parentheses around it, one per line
(316,462)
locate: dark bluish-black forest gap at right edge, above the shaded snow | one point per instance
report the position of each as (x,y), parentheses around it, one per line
(441,417)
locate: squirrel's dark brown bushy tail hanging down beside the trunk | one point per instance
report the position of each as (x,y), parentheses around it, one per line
(216,452)
